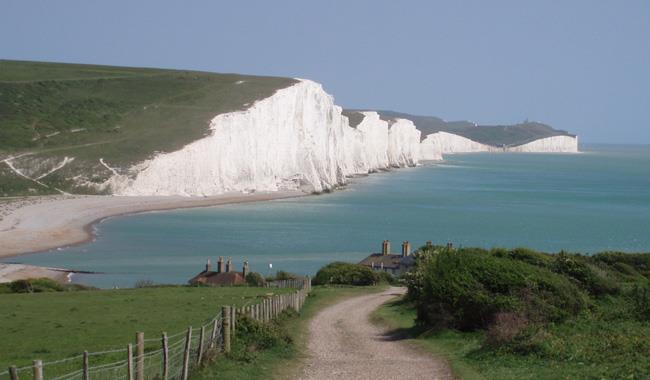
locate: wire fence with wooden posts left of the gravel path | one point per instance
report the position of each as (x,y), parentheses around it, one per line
(167,357)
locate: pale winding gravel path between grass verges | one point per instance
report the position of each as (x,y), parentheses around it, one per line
(343,344)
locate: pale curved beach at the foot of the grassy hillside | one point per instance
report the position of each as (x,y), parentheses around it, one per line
(41,223)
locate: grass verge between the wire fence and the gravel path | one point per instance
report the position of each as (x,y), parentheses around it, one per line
(282,362)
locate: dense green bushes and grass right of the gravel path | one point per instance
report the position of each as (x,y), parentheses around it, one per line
(511,314)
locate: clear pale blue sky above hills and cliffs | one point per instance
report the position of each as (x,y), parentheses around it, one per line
(583,66)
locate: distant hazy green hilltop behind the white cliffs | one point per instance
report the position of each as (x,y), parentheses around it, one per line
(495,135)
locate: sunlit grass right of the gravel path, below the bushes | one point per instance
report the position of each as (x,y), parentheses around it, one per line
(597,349)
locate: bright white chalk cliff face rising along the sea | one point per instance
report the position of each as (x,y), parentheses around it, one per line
(296,139)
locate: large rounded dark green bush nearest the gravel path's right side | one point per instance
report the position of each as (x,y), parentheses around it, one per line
(466,288)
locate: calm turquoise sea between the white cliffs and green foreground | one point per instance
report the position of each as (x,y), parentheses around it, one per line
(590,202)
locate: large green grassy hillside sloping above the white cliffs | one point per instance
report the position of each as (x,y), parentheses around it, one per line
(126,115)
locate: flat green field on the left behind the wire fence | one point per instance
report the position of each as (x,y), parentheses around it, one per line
(52,326)
